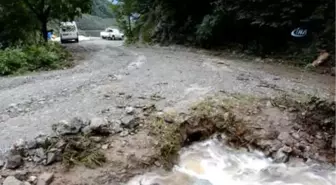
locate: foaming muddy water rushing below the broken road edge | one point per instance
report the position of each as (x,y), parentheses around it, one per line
(212,163)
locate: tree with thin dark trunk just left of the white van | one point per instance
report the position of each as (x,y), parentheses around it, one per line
(47,10)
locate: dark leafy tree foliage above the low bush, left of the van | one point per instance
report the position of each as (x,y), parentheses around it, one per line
(21,18)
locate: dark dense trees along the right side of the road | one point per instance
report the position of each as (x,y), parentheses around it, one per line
(255,26)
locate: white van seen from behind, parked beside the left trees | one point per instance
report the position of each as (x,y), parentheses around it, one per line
(68,32)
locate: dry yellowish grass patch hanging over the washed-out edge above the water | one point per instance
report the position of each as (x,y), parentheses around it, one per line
(205,119)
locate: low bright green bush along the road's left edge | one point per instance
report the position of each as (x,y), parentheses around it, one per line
(33,58)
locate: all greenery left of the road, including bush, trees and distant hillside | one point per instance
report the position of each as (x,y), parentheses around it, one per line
(25,25)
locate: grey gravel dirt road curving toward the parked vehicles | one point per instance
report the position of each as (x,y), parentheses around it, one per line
(111,77)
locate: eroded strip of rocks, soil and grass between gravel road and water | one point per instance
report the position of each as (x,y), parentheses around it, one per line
(99,151)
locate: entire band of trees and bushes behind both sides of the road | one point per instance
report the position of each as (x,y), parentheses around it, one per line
(253,27)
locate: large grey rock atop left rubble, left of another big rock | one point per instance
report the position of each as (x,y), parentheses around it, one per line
(68,127)
